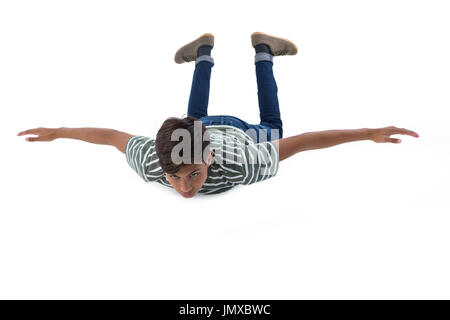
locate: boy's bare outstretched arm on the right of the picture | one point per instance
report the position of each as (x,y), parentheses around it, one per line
(324,139)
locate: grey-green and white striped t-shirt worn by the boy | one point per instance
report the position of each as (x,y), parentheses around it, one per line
(237,159)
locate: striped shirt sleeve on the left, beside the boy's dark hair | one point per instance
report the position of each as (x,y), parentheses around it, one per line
(141,156)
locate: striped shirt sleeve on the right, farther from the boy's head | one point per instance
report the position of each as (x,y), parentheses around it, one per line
(261,161)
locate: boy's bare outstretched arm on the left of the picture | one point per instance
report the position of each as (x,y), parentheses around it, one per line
(110,137)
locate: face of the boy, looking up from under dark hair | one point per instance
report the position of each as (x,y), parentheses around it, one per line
(190,178)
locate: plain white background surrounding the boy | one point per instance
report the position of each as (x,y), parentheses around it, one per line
(359,220)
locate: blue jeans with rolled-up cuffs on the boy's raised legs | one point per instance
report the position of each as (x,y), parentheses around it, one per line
(270,127)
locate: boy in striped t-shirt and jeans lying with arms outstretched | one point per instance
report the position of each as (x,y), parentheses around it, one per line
(218,152)
